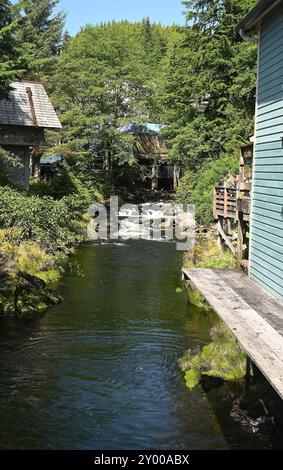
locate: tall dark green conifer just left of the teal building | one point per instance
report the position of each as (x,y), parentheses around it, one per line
(210,83)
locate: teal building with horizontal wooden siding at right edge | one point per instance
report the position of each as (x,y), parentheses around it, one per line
(266,252)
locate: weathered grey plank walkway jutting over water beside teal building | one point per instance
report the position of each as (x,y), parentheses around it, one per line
(252,314)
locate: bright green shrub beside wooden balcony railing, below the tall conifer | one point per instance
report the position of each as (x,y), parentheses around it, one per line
(197,187)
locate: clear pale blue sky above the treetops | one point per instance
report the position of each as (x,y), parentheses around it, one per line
(81,12)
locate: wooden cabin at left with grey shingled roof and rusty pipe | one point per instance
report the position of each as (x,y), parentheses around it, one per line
(24,115)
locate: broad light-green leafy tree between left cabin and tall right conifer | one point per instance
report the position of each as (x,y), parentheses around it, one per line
(107,77)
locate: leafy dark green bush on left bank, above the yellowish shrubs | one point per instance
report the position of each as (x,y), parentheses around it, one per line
(54,225)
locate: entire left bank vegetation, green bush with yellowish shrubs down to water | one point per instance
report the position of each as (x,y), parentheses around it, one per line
(36,234)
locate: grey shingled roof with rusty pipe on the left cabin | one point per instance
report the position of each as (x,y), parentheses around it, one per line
(28,105)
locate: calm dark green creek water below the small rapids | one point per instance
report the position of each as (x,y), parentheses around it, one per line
(100,370)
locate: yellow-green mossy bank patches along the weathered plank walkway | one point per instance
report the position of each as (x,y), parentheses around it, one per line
(223,357)
